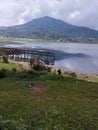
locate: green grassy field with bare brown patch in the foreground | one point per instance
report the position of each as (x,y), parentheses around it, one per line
(52,103)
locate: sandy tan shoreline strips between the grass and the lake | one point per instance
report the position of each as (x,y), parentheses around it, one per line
(64,72)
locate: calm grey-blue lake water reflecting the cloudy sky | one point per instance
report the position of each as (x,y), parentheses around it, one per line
(77,57)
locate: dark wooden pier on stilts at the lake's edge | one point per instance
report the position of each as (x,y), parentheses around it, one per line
(18,54)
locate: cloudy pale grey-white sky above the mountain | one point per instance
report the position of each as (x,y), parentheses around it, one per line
(76,12)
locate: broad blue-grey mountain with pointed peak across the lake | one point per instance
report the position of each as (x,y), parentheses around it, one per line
(51,29)
